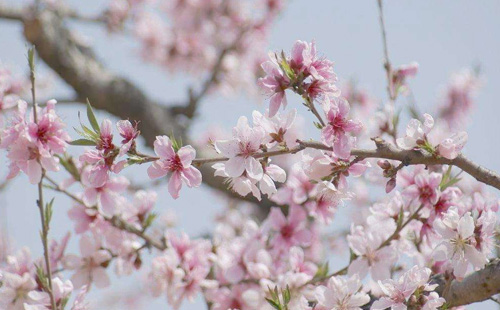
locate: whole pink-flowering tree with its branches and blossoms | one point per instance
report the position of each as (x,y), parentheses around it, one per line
(427,243)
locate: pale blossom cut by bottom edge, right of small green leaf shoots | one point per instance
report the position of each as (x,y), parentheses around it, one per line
(342,293)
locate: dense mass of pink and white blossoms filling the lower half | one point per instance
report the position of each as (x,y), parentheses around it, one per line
(431,224)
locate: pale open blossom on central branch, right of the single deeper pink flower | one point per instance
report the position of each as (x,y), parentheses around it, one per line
(240,150)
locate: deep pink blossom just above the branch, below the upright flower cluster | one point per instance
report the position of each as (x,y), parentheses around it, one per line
(337,127)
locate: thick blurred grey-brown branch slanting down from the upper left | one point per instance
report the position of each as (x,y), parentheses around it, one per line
(78,66)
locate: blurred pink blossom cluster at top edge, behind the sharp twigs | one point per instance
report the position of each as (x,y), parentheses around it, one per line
(195,36)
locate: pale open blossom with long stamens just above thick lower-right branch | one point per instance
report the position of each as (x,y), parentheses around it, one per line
(458,245)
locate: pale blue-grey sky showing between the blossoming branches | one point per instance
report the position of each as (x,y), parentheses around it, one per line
(442,36)
